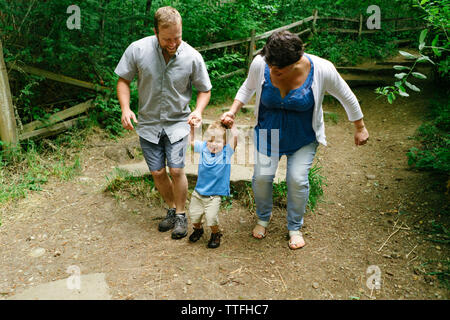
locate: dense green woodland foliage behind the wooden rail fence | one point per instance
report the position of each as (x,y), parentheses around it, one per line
(34,33)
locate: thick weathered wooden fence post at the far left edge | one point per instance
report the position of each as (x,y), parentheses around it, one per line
(8,128)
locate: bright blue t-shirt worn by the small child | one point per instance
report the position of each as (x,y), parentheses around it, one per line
(214,170)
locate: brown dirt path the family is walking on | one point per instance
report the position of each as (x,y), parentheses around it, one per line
(375,213)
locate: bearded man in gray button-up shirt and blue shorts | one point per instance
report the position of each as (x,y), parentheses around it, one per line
(167,68)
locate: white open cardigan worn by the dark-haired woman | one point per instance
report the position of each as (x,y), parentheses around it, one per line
(326,78)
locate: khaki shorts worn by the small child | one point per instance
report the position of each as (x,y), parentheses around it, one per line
(208,206)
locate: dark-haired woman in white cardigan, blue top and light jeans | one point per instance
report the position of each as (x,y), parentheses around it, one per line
(290,86)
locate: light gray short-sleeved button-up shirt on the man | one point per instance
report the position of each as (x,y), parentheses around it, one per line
(164,90)
